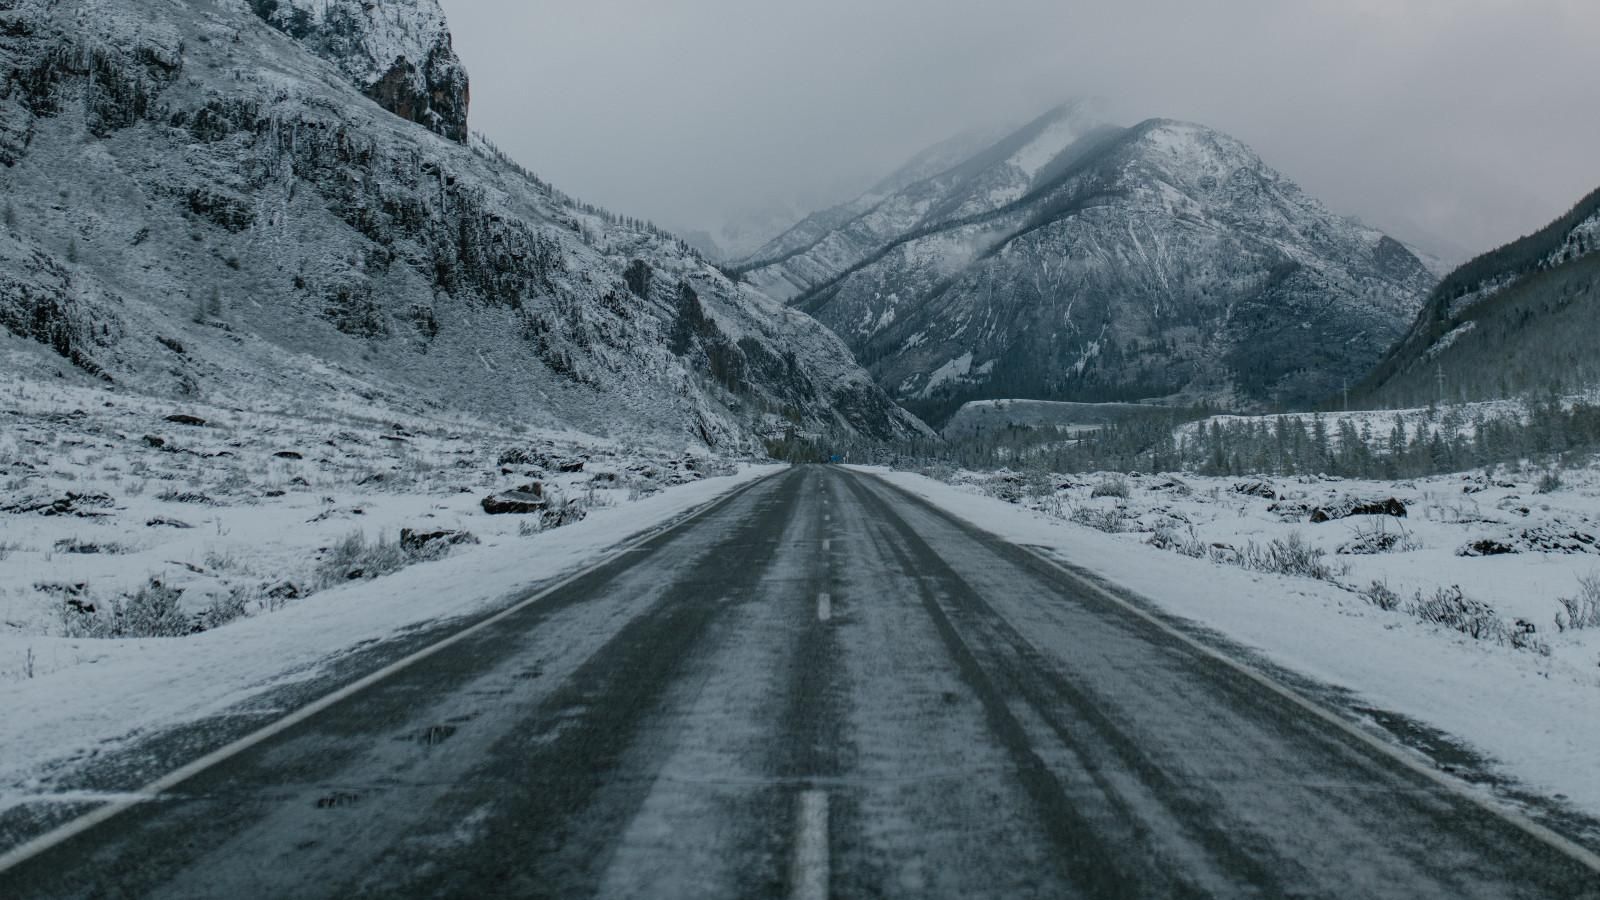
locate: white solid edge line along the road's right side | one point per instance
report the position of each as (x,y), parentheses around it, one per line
(1542,834)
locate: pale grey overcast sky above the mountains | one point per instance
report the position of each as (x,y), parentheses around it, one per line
(1457,124)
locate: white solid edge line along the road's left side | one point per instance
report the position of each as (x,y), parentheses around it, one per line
(154,790)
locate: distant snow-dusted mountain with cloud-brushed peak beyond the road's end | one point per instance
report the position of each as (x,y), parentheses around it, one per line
(1081,262)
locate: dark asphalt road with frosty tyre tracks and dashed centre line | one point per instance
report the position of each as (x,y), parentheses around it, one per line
(823,688)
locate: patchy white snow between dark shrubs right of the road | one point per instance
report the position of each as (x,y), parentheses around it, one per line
(1535,717)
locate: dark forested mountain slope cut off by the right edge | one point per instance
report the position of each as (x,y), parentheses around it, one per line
(1519,319)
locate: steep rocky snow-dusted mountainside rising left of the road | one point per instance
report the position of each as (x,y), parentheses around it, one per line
(223,196)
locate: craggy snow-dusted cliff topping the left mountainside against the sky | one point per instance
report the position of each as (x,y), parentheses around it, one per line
(396,52)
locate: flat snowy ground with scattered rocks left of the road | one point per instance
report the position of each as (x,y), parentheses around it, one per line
(281,528)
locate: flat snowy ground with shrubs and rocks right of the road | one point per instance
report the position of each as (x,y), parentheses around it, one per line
(1529,702)
